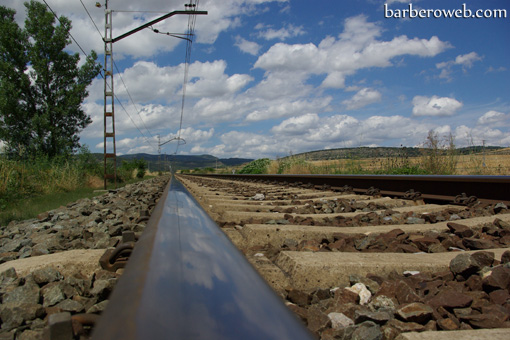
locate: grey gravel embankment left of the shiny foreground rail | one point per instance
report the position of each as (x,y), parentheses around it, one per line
(49,265)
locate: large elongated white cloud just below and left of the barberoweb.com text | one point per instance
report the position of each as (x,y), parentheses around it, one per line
(357,47)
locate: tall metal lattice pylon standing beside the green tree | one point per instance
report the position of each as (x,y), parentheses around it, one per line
(110,151)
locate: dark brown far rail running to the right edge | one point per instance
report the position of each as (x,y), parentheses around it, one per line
(490,189)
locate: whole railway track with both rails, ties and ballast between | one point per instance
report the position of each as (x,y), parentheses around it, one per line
(391,246)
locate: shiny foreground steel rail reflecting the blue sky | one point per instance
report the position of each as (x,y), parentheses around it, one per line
(186,280)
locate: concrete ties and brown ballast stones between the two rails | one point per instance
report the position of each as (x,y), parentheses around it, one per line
(309,244)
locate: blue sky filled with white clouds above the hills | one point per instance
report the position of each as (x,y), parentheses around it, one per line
(269,78)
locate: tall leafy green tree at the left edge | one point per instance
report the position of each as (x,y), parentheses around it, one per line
(41,86)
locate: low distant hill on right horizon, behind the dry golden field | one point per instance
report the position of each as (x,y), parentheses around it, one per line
(376,152)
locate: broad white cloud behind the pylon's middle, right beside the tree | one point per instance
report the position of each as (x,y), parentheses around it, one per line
(210,97)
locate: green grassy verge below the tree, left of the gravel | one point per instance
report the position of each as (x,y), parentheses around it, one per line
(31,186)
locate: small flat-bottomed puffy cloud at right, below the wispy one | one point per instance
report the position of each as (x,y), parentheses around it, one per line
(435,106)
